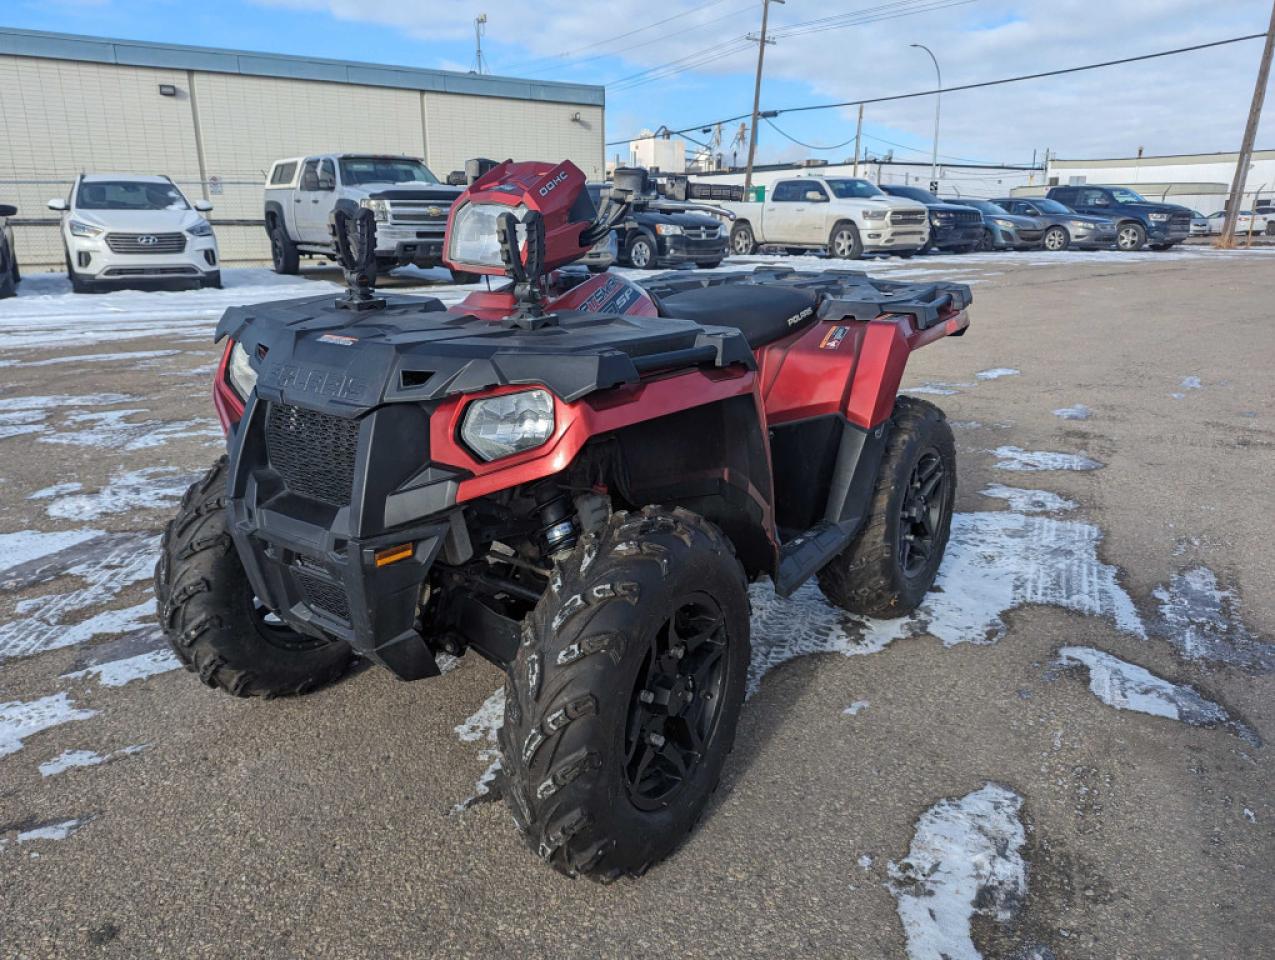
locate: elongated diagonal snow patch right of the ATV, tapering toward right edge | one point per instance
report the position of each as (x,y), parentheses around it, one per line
(1126,687)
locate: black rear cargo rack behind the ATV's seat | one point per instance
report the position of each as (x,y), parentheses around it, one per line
(843,295)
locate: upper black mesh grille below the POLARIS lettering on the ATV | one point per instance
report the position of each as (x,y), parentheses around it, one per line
(313,452)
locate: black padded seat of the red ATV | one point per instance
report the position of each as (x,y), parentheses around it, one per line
(762,314)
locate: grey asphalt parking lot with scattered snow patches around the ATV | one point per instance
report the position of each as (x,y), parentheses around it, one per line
(1061,755)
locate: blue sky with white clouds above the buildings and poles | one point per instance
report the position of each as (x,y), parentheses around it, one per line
(684,63)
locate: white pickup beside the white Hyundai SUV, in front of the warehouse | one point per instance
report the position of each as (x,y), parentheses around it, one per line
(410,203)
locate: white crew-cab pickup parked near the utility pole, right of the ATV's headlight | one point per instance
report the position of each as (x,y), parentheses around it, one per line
(847,216)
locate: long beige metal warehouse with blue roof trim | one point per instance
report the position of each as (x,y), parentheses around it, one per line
(215,120)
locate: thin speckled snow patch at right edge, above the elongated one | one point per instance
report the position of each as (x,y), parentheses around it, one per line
(1202,619)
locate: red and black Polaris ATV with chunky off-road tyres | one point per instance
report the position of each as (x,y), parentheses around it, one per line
(574,477)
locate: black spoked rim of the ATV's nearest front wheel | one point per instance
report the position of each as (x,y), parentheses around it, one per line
(676,703)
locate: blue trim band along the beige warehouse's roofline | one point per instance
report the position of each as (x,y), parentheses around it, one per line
(175,57)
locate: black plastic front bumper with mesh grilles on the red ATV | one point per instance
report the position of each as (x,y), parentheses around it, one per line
(310,558)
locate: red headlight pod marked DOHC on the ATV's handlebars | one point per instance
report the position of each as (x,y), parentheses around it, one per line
(554,191)
